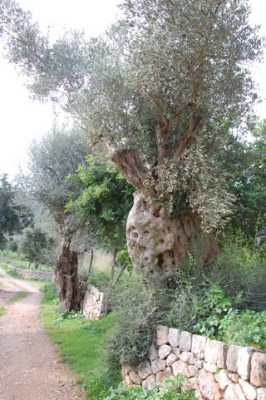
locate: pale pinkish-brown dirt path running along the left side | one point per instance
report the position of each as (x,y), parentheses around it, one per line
(29,365)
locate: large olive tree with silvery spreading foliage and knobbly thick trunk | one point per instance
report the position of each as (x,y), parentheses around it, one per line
(161,89)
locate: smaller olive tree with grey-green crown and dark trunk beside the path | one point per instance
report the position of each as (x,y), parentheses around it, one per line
(51,162)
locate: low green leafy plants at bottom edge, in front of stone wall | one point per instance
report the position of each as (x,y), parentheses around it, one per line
(170,390)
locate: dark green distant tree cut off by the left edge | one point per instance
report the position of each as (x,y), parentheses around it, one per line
(13,217)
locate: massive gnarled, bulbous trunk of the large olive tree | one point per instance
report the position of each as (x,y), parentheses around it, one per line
(157,244)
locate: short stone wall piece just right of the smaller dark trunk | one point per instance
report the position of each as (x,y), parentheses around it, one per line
(94,303)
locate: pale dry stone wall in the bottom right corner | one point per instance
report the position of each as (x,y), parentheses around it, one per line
(215,370)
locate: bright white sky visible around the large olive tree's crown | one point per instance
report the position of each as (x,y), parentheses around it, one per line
(23,119)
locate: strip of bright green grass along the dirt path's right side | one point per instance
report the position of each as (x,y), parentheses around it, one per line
(81,345)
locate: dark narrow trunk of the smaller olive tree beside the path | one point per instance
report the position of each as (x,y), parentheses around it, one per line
(70,289)
